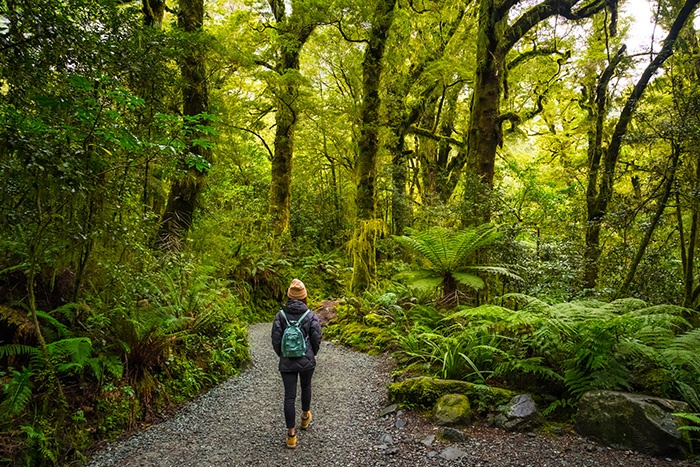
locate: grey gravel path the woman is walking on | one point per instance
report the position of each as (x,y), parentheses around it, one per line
(240,423)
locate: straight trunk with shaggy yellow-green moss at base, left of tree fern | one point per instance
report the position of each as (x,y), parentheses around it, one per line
(366,225)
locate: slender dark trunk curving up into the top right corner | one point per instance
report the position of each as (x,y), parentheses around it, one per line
(604,188)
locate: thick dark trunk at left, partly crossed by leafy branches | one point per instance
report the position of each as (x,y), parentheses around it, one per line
(184,193)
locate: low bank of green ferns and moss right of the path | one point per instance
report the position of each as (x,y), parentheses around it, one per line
(560,350)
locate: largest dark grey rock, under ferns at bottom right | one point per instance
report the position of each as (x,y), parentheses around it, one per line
(632,421)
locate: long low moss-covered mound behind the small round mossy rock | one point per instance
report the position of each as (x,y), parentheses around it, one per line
(425,391)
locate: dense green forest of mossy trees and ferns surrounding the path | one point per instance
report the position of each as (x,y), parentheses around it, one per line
(505,192)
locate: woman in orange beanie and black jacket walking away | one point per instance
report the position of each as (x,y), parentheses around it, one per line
(293,368)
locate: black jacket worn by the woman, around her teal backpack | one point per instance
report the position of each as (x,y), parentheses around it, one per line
(311,327)
